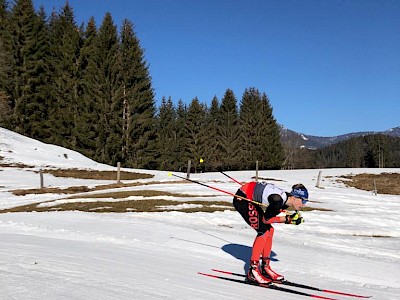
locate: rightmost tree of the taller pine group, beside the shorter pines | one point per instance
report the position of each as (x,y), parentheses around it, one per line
(138,102)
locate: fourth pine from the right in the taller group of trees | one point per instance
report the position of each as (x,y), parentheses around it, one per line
(65,39)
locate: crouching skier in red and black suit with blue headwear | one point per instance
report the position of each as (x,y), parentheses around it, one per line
(275,199)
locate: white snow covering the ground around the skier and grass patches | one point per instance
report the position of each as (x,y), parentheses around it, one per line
(353,248)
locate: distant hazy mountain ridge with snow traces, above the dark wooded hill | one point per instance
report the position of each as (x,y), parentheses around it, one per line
(301,140)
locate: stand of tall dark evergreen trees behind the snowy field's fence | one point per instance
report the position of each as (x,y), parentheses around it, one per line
(89,89)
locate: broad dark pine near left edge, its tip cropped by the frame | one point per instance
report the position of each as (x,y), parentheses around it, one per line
(30,70)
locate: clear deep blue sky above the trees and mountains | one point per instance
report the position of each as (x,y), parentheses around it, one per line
(329,67)
